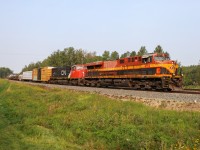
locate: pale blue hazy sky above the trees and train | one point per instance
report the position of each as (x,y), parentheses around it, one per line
(30,30)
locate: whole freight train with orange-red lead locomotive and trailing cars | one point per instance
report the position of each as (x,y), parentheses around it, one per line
(152,71)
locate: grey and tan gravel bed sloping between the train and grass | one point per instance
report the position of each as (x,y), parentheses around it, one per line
(164,100)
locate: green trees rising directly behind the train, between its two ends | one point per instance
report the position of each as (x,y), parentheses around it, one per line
(71,56)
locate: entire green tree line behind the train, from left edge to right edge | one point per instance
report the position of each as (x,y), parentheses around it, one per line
(71,56)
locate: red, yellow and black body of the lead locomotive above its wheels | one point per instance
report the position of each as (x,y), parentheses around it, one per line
(145,68)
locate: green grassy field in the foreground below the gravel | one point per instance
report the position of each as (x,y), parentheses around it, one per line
(34,117)
